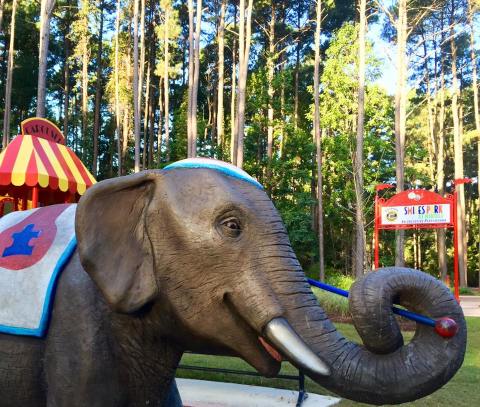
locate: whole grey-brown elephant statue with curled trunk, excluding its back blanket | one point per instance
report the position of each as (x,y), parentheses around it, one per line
(196,257)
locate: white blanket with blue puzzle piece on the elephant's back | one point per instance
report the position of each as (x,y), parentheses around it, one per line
(35,245)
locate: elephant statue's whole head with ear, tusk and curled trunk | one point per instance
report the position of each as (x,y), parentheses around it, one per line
(203,256)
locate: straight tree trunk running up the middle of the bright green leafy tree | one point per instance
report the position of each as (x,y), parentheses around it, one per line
(359,260)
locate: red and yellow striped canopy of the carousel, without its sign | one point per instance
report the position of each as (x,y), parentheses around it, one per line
(30,160)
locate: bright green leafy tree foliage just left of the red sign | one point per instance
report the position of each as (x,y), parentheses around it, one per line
(338,115)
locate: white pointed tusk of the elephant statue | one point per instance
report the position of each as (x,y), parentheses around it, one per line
(280,334)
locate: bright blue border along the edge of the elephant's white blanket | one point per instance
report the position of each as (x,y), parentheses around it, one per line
(47,305)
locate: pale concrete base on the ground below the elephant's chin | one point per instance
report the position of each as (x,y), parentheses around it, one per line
(202,393)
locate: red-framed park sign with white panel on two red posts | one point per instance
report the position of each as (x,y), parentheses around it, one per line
(417,209)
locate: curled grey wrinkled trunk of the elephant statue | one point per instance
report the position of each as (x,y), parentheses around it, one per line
(384,370)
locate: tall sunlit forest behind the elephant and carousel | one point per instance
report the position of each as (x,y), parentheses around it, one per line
(288,90)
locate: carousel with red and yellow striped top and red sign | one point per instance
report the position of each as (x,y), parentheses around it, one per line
(38,169)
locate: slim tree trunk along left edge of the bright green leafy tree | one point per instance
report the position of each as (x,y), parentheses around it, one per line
(318,139)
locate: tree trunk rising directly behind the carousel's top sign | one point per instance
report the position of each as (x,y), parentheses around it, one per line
(46,8)
